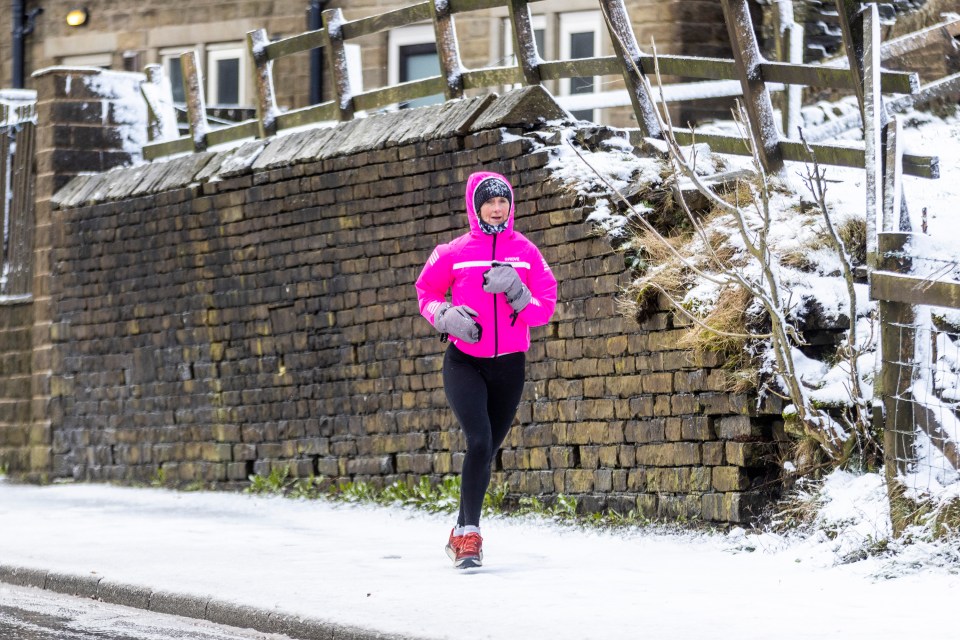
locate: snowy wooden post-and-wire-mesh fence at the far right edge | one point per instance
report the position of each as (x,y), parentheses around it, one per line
(899,411)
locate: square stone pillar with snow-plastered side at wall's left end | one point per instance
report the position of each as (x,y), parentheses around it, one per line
(88,120)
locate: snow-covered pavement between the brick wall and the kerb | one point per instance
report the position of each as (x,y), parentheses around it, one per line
(384,568)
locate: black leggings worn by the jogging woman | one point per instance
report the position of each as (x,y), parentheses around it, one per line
(484,394)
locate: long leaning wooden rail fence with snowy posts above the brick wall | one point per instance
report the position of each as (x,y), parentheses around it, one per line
(629,62)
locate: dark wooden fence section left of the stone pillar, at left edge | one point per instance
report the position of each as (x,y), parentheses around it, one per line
(17,139)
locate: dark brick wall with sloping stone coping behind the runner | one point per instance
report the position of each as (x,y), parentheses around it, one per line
(230,313)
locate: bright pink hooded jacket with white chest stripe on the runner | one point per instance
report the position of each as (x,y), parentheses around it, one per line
(458,267)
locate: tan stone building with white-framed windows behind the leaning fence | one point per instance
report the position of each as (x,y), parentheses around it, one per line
(127,36)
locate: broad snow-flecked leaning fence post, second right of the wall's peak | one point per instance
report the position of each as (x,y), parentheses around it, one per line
(756,98)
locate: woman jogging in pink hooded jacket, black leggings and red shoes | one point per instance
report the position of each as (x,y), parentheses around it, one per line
(499,286)
